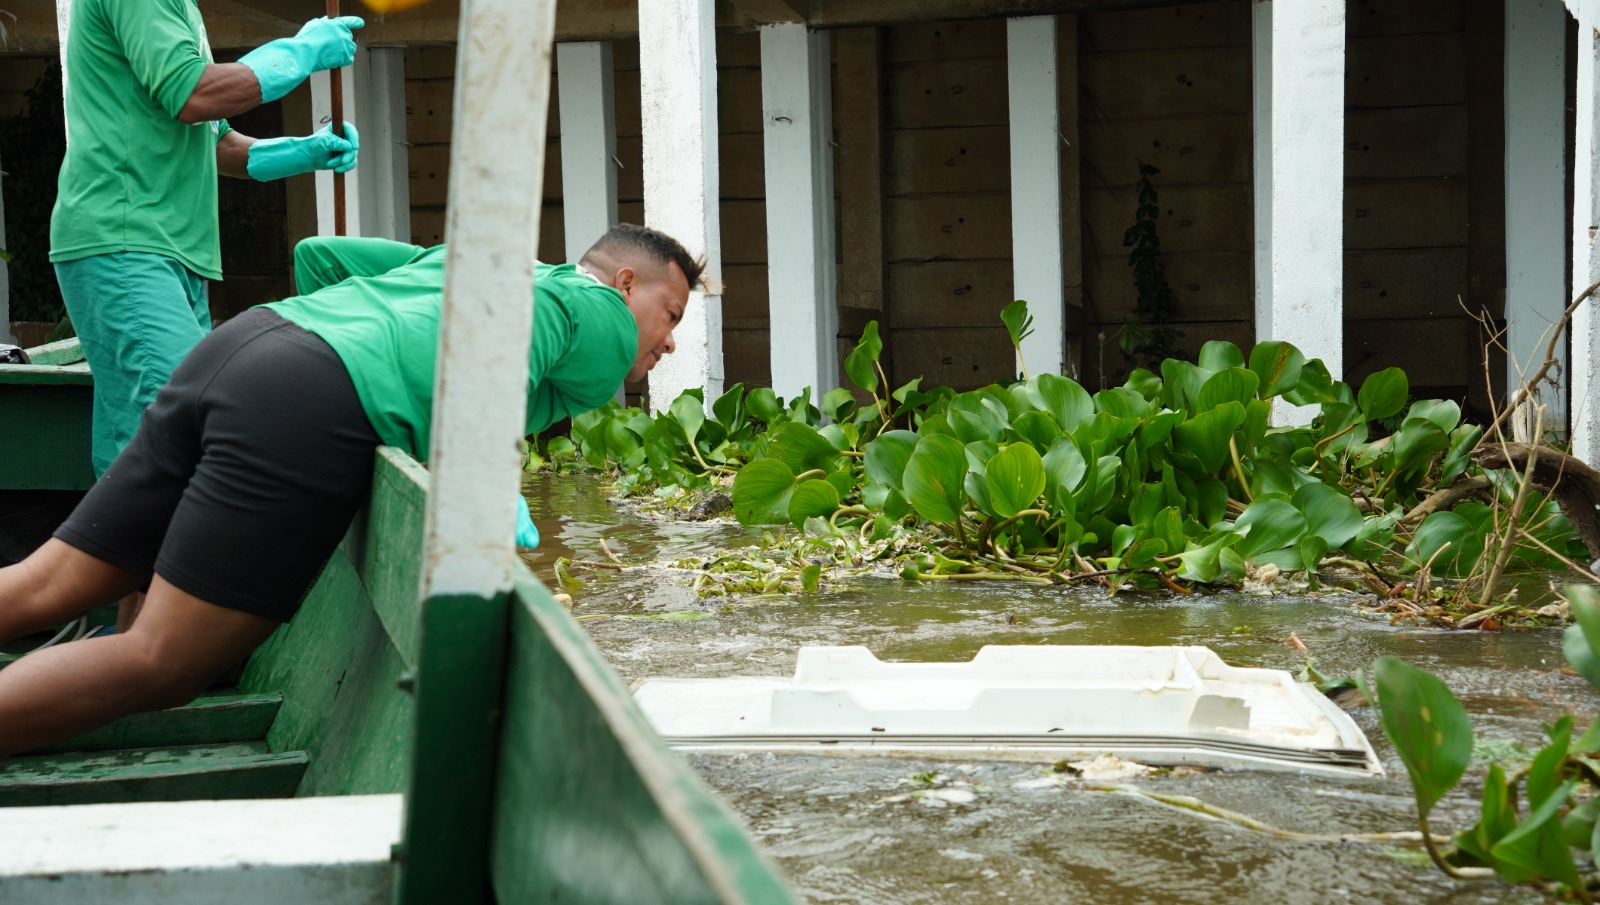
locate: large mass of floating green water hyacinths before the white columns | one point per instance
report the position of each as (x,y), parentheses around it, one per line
(1172,480)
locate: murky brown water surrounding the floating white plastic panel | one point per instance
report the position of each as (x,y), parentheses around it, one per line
(844,831)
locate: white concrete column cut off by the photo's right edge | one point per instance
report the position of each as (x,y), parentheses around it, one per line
(1585,373)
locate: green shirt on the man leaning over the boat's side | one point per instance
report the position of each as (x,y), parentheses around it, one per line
(377,303)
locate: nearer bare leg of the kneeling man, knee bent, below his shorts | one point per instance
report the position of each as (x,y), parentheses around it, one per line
(170,656)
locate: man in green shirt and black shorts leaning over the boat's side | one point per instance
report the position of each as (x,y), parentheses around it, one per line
(252,463)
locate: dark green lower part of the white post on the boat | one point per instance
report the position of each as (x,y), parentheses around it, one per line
(450,803)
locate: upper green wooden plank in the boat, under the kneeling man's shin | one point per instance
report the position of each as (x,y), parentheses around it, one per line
(206,722)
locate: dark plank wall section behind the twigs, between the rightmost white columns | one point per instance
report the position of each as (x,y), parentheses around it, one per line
(1425,209)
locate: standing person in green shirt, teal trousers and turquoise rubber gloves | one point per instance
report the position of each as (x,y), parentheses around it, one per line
(135,231)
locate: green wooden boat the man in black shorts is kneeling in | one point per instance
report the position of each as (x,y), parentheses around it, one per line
(527,771)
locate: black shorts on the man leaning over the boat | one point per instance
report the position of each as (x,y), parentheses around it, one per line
(244,476)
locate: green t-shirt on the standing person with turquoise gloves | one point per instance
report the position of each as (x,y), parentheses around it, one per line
(135,178)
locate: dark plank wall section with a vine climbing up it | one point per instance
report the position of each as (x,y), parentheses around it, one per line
(1172,89)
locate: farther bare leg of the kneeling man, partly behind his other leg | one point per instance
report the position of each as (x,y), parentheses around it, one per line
(58,583)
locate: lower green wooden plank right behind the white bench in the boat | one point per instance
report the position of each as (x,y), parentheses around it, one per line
(151,775)
